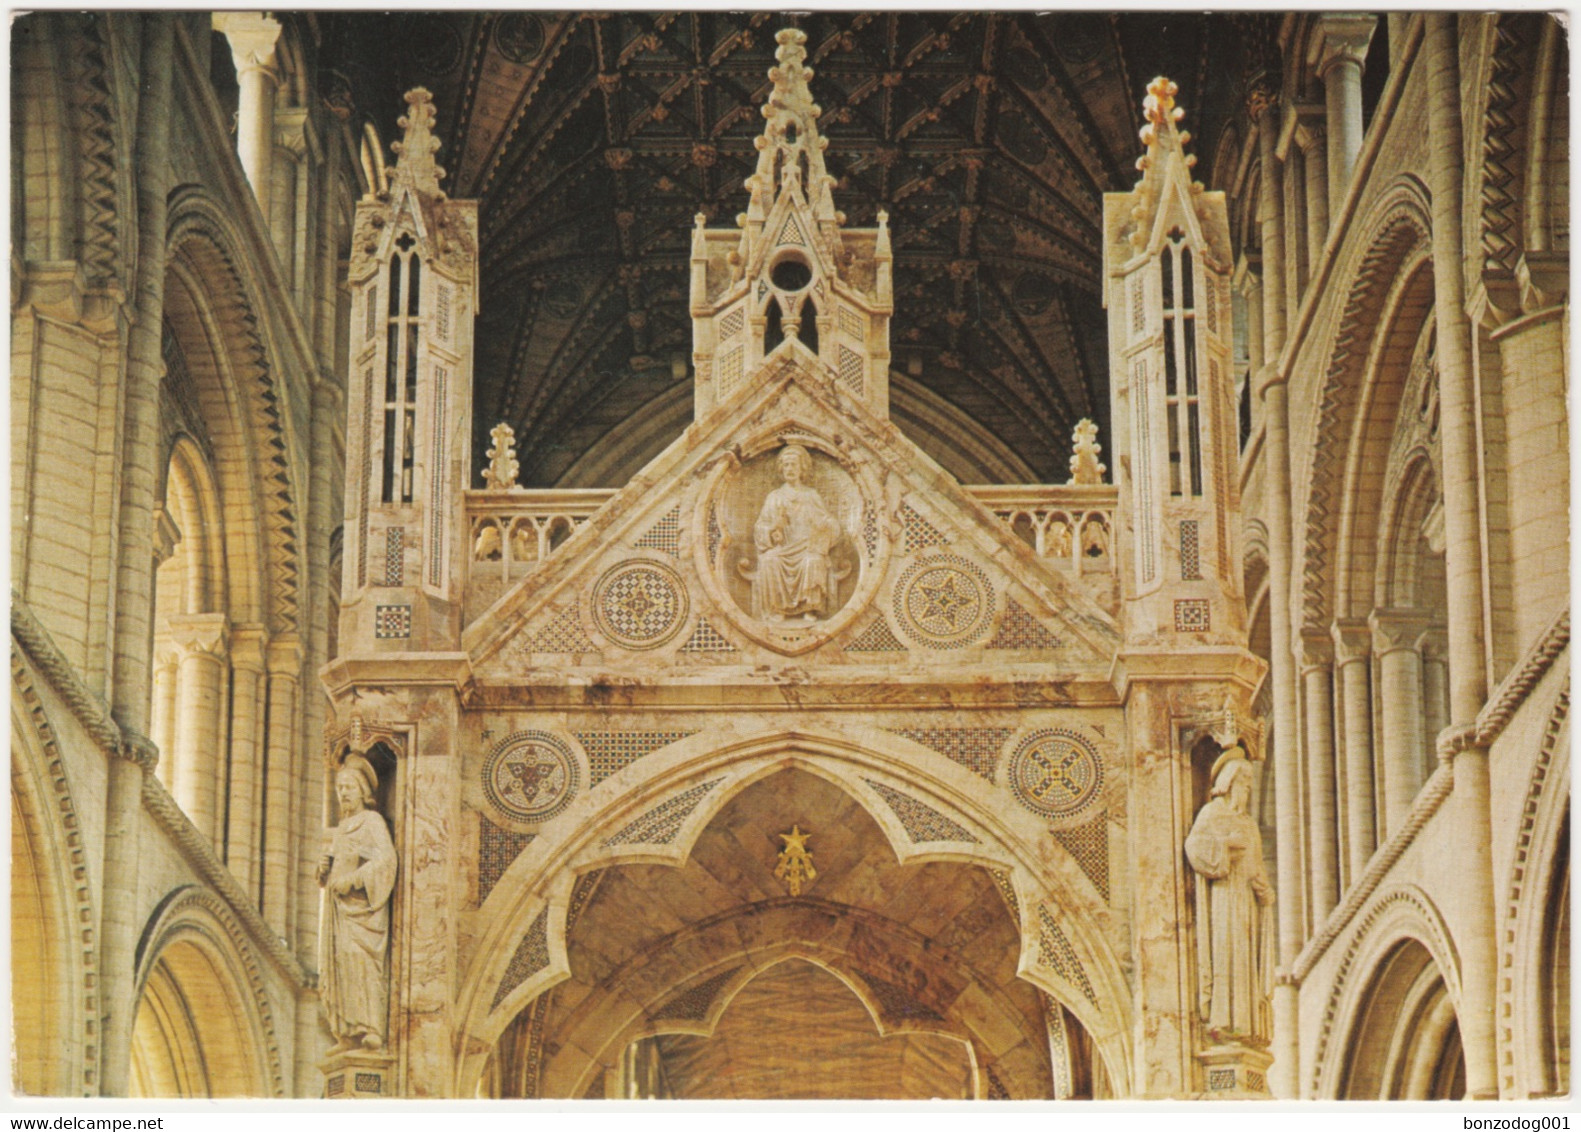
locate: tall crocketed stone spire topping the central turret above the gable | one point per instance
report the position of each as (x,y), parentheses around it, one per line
(790,151)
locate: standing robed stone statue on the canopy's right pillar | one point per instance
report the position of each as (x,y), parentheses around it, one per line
(1236,926)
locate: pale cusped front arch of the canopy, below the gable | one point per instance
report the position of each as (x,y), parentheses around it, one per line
(1005,840)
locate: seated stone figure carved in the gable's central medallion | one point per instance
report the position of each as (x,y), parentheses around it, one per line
(796,535)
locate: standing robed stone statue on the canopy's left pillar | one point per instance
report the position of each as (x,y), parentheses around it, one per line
(358,872)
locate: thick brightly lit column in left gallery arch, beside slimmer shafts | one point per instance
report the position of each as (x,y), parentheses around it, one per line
(200,698)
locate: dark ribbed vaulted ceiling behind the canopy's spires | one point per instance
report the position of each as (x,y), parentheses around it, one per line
(592,140)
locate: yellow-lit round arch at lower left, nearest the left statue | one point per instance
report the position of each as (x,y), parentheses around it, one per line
(205,1027)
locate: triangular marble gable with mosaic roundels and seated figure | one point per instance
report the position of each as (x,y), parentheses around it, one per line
(796,526)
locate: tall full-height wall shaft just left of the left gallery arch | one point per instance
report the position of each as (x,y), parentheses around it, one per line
(130,687)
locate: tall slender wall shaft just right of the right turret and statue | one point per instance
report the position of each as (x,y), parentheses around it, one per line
(1277,456)
